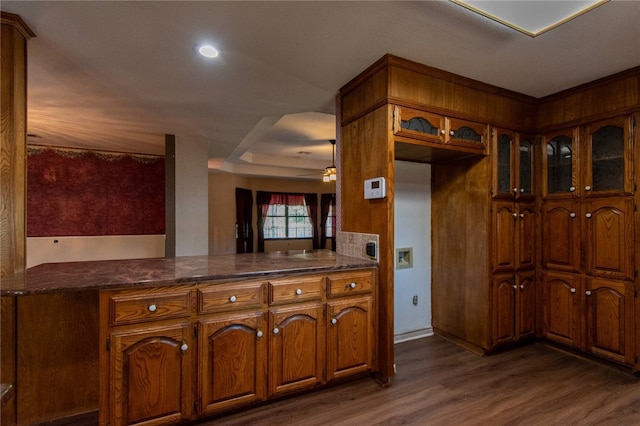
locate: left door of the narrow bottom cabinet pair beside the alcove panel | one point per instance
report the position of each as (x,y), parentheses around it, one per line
(503,308)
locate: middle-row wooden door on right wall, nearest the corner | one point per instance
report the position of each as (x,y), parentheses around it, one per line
(561,235)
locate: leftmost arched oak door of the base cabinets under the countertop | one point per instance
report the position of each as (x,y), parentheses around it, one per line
(152,375)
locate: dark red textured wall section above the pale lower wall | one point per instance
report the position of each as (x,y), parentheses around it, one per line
(74,192)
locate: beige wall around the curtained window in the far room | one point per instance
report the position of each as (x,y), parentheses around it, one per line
(222,208)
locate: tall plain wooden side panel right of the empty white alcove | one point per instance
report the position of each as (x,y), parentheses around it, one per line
(460,206)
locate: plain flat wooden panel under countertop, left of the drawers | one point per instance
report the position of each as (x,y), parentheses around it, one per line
(57,355)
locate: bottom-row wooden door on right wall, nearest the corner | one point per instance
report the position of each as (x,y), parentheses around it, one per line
(561,306)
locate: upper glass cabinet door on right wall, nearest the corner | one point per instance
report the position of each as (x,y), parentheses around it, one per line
(559,163)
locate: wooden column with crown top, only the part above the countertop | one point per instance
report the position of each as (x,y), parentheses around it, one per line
(13,136)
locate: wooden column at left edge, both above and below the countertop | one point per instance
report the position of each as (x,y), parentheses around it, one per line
(13,149)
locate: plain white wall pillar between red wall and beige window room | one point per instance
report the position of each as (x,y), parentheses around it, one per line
(191,197)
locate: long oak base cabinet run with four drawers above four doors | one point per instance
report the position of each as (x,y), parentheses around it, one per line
(189,351)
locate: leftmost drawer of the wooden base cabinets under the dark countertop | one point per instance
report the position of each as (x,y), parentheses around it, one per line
(149,305)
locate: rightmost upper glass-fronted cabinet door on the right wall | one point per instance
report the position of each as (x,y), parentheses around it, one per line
(607,158)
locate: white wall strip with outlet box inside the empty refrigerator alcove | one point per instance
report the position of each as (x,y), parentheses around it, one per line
(412,229)
